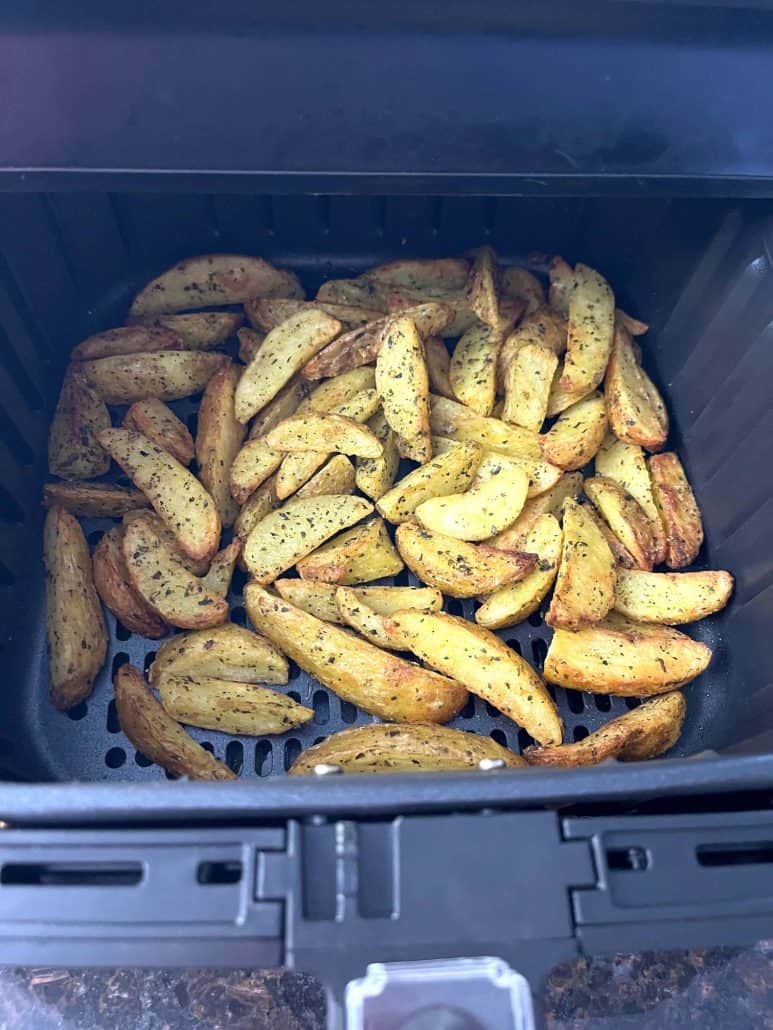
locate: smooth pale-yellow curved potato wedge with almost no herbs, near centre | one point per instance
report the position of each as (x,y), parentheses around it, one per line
(493,502)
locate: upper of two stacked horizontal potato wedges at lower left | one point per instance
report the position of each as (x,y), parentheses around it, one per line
(228,653)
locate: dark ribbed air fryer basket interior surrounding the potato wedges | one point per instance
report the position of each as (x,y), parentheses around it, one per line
(697,270)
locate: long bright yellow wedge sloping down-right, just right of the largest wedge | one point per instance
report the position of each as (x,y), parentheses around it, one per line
(488,667)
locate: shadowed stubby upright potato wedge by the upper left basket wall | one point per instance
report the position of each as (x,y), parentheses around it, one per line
(75,452)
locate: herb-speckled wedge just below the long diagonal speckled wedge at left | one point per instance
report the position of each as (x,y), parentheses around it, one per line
(160,577)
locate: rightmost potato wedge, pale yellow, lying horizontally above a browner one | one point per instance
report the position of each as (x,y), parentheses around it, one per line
(671,599)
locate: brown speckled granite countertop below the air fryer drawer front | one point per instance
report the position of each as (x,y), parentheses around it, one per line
(731,989)
